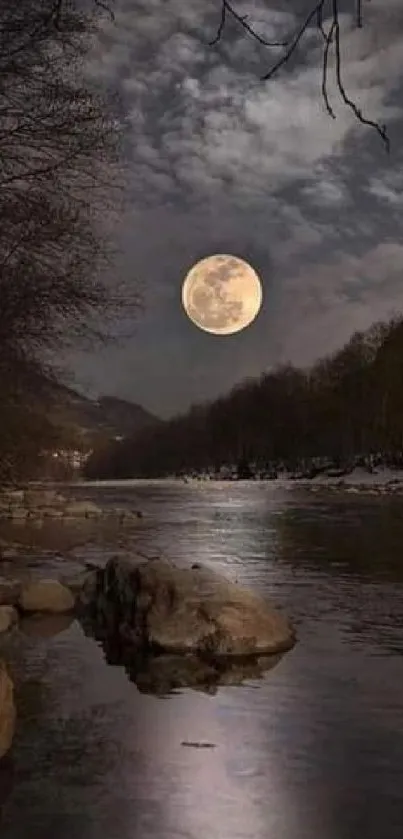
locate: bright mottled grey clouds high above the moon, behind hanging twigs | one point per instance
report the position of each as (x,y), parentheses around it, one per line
(201,121)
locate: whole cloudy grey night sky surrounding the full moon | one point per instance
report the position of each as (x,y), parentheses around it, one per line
(222,162)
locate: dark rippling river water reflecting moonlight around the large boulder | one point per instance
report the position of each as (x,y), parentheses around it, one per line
(312,751)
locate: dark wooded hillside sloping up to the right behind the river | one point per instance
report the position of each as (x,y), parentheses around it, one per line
(348,405)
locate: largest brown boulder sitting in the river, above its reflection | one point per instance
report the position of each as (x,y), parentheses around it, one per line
(160,607)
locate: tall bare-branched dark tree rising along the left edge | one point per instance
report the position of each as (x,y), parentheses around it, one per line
(60,184)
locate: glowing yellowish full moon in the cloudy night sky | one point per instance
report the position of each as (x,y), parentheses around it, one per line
(222,294)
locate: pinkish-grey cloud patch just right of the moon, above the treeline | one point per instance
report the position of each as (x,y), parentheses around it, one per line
(323,304)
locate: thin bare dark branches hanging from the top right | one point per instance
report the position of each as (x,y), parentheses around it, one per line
(320,11)
